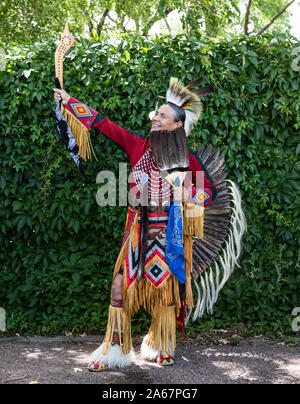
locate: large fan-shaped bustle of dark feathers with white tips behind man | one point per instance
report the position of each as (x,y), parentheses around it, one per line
(216,254)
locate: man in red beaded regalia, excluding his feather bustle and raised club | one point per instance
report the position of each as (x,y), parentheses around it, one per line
(154,267)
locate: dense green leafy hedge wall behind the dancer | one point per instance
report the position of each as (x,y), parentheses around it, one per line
(58,247)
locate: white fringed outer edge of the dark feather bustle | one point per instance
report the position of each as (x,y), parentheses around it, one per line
(209,285)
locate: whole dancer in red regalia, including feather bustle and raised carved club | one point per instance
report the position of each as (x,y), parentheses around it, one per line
(168,239)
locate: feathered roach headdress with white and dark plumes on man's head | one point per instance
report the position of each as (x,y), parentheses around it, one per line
(188,100)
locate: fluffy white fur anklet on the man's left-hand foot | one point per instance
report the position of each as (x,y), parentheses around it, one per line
(114,359)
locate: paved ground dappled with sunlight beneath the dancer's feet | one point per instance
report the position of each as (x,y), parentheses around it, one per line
(219,361)
